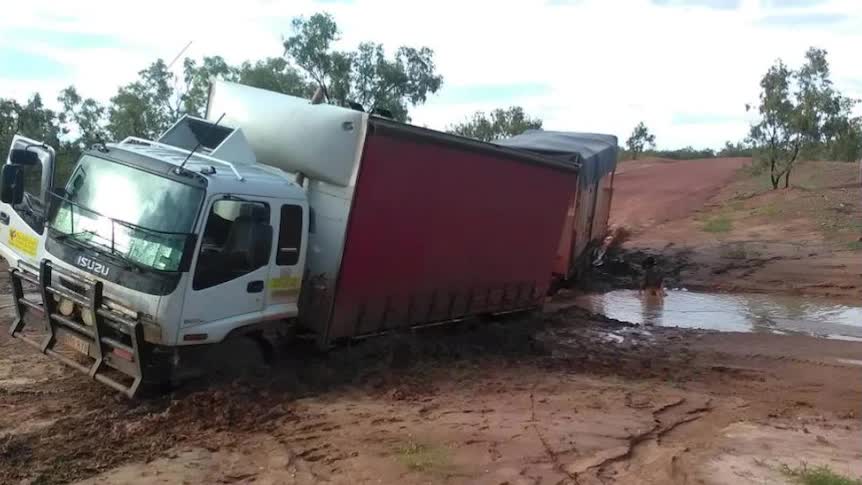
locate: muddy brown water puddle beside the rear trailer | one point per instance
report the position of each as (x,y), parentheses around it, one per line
(732,312)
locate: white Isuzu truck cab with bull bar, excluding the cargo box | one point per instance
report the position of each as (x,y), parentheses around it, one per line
(156,242)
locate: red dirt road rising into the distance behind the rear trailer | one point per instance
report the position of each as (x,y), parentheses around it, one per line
(648,192)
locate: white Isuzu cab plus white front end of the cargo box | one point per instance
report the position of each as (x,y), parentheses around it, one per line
(154,246)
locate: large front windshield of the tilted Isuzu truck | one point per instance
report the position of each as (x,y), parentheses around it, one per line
(136,215)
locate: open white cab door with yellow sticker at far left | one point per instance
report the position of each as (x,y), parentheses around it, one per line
(29,168)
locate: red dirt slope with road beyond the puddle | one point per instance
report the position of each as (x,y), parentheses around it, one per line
(729,231)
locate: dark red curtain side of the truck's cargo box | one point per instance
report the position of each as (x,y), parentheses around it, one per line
(438,231)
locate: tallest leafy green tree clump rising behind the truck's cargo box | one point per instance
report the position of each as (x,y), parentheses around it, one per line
(365,76)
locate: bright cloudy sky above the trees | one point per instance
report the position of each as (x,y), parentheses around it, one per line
(686,68)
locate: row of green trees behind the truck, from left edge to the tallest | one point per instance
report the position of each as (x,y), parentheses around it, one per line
(148,105)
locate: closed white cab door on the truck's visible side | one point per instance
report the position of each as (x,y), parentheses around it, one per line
(230,269)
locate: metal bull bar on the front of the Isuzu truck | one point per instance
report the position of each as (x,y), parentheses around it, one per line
(112,342)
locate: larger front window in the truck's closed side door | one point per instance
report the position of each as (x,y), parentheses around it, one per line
(236,241)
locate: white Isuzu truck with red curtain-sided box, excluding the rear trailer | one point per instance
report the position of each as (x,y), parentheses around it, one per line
(270,212)
